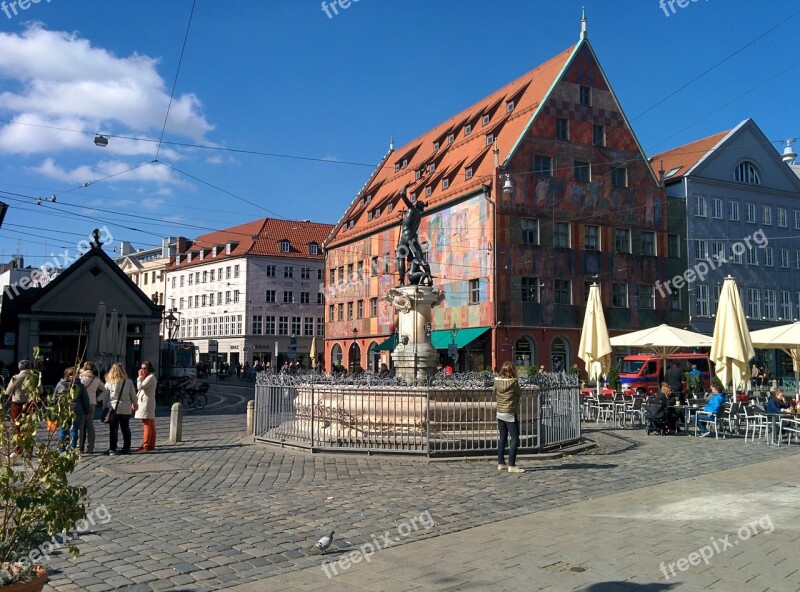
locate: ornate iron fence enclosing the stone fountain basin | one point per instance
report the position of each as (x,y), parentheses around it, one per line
(450,415)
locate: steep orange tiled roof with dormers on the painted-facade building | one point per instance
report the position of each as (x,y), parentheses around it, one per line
(452,159)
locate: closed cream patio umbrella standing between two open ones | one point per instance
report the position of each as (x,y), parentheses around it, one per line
(732,348)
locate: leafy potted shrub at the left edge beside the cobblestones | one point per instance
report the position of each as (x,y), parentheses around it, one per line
(37,502)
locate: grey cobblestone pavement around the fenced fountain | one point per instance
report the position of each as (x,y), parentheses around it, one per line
(217,510)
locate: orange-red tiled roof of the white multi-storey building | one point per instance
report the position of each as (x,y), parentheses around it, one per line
(260,237)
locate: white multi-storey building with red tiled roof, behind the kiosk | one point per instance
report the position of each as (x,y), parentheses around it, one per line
(254,290)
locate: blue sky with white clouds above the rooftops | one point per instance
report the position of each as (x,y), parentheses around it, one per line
(281,77)
